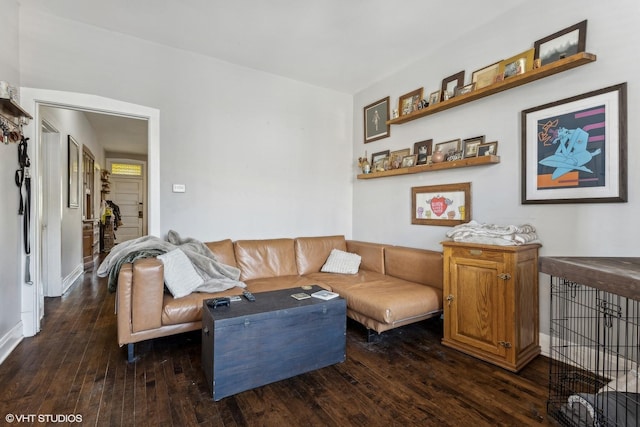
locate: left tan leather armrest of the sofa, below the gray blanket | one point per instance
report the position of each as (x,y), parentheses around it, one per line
(140,296)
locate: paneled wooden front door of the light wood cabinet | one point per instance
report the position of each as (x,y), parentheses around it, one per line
(477,304)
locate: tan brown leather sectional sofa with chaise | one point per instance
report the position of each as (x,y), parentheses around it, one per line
(394,286)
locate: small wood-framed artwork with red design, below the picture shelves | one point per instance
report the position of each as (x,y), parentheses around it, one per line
(447,205)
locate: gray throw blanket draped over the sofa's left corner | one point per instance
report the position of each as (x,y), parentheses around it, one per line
(216,275)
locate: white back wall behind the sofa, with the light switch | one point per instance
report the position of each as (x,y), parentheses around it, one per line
(260,155)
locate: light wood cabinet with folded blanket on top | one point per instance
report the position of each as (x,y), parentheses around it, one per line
(491,302)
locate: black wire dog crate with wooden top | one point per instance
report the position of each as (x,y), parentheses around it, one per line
(594,341)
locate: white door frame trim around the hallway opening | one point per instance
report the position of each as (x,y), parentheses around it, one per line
(33,294)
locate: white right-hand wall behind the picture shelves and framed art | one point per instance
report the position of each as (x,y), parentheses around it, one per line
(382,206)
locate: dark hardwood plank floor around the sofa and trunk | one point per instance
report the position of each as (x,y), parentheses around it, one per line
(74,366)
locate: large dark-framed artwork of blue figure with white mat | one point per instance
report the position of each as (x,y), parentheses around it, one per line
(575,150)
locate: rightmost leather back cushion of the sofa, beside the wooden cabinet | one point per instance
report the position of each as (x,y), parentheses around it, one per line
(415,265)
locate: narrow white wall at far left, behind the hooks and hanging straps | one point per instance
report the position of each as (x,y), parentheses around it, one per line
(10,222)
